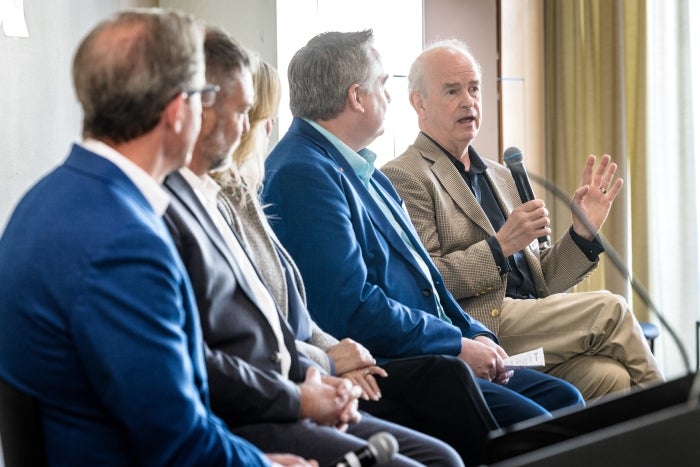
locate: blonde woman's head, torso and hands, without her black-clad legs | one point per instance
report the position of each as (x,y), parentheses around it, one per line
(239,195)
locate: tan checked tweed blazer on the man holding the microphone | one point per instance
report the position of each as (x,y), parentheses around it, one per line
(454,228)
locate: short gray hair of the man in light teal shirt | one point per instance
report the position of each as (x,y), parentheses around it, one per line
(322,71)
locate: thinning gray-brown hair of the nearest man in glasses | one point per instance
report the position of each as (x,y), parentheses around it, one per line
(129,67)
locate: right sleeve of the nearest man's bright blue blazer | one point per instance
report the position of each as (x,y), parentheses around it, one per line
(138,333)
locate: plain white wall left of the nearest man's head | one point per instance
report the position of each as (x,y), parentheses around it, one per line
(39,115)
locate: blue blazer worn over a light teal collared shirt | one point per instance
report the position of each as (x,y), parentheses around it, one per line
(361,280)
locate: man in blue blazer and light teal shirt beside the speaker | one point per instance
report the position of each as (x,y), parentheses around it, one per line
(366,274)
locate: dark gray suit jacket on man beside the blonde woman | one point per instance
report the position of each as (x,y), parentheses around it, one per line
(242,357)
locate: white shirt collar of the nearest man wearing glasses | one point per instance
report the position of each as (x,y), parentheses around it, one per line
(151,190)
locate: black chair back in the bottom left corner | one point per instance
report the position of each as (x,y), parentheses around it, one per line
(20,428)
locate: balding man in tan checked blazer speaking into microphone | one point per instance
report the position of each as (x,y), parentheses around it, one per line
(484,238)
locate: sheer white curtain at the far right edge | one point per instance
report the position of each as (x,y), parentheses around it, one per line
(674,171)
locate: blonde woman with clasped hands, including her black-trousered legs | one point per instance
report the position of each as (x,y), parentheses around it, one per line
(457,414)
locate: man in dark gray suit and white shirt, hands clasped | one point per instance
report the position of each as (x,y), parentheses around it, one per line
(261,386)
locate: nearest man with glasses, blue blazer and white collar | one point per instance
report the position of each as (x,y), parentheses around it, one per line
(98,321)
